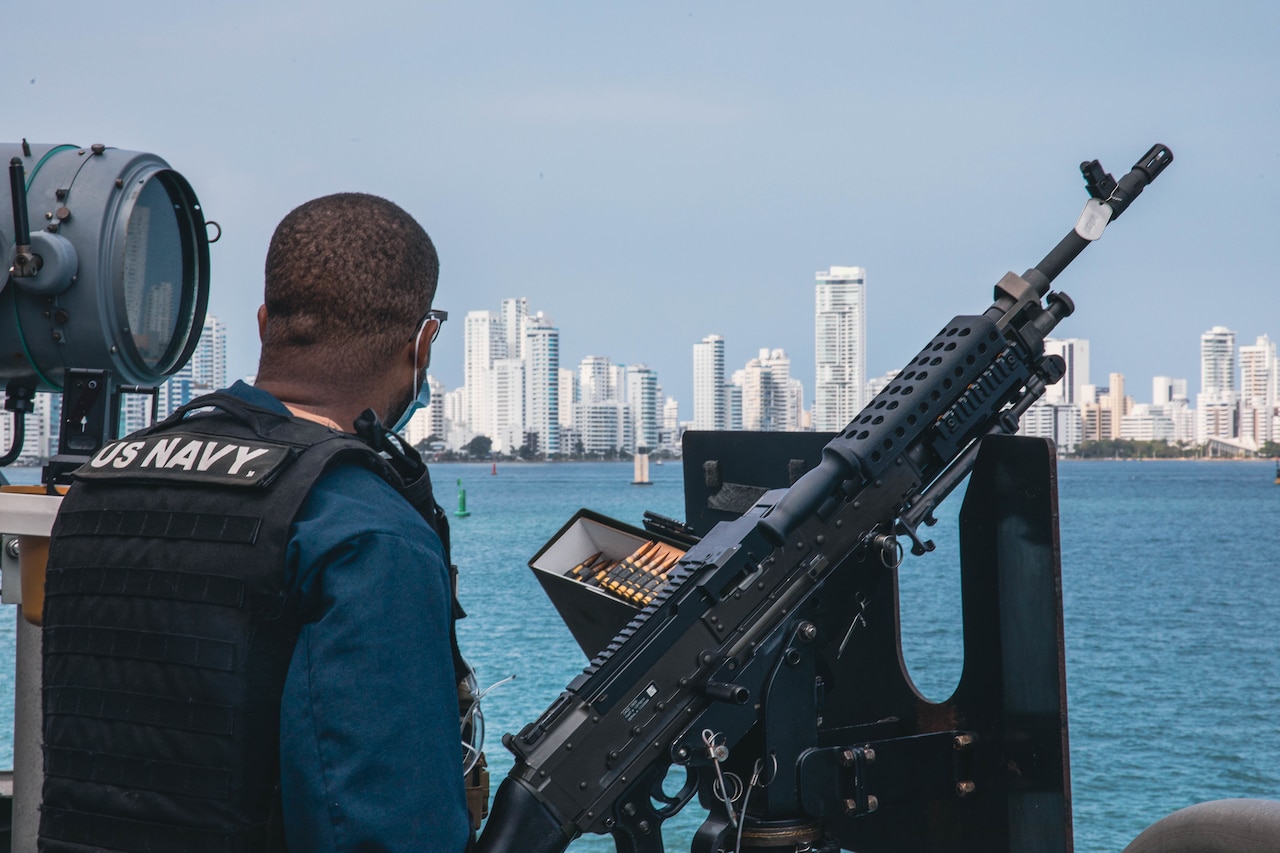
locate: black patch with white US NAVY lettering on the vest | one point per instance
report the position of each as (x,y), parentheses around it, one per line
(189,458)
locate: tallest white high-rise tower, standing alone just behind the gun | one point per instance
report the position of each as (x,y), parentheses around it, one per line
(840,346)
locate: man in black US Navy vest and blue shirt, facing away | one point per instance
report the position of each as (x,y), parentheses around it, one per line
(249,619)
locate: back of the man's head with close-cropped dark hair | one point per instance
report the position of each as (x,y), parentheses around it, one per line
(349,277)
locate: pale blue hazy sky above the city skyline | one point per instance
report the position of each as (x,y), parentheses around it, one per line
(653,174)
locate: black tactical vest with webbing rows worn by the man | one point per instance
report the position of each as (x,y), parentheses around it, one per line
(168,630)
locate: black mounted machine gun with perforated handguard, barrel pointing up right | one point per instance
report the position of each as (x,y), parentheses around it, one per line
(700,669)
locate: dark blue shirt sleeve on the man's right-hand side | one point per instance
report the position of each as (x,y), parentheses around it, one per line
(371,749)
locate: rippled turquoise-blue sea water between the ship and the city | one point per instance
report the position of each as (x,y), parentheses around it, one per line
(1172,609)
